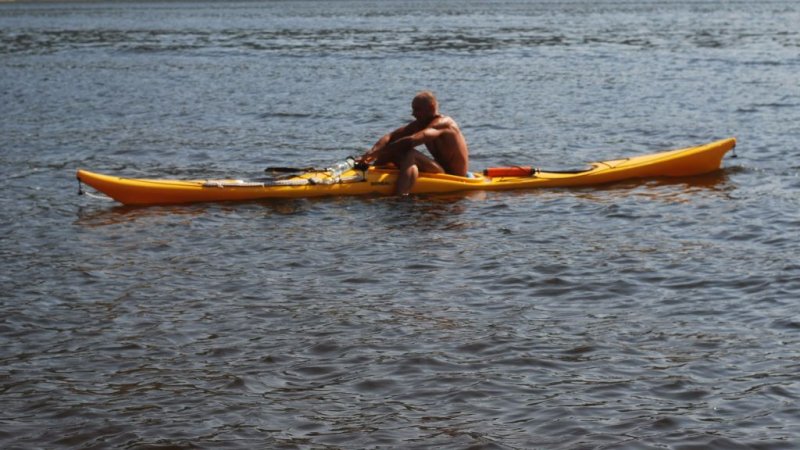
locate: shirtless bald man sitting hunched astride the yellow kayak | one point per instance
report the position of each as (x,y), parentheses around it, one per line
(439,133)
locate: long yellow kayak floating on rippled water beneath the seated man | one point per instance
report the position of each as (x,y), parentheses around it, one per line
(354,181)
